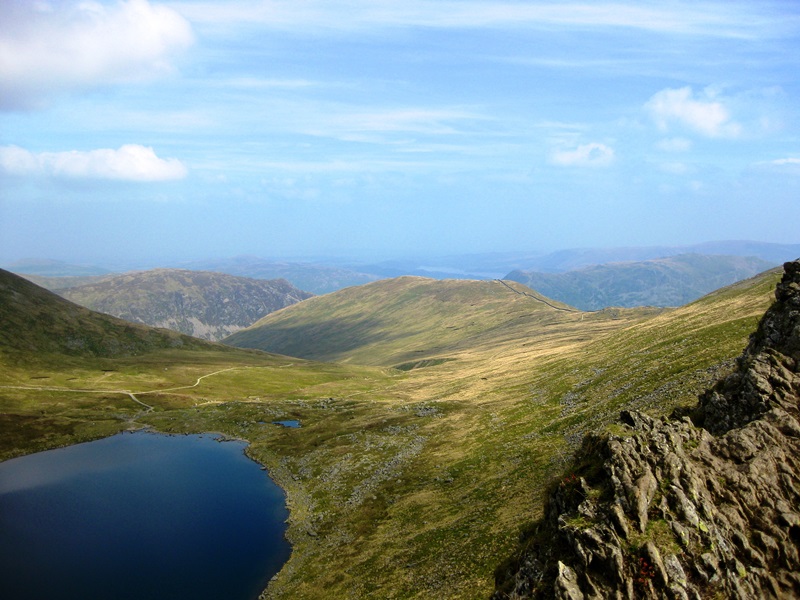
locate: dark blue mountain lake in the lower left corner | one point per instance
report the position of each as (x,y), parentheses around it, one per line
(139,516)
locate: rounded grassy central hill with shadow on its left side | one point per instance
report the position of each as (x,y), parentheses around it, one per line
(391,322)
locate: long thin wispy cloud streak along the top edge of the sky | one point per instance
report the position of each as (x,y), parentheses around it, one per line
(709,19)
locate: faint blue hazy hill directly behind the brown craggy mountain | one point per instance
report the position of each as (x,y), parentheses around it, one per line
(311,277)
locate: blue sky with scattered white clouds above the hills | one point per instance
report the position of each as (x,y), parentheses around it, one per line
(147,130)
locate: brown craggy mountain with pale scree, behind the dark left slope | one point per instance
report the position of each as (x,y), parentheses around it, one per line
(198,303)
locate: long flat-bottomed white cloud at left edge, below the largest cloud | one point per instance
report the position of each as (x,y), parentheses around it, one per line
(130,162)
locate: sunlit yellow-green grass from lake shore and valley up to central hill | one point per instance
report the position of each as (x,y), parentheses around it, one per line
(404,483)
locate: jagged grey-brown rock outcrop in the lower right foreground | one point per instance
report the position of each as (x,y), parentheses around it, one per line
(701,507)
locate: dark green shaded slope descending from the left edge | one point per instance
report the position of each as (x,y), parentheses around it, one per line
(35,321)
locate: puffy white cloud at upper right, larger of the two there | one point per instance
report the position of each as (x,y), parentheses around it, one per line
(707,115)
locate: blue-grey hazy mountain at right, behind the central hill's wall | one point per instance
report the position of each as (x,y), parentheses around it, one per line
(670,281)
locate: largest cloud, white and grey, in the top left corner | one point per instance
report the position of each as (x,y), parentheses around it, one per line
(47,47)
